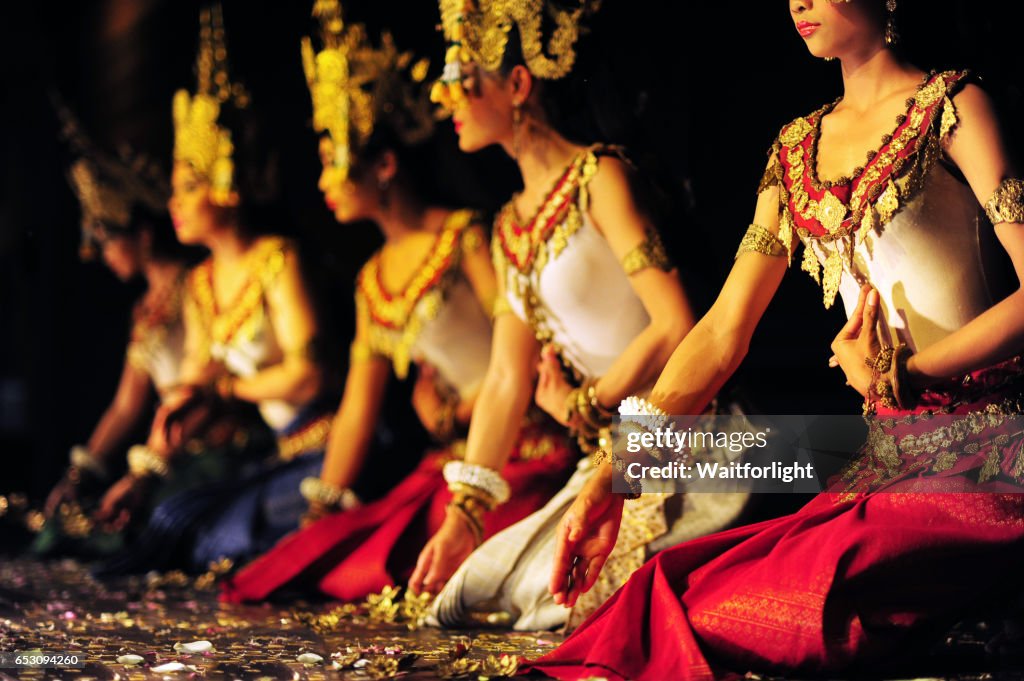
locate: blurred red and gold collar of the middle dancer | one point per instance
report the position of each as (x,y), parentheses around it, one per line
(393,310)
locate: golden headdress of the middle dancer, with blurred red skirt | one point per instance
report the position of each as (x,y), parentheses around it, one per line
(356,87)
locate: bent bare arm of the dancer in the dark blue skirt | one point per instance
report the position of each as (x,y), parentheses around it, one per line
(296,378)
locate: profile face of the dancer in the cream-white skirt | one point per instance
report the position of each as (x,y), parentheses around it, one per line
(486,119)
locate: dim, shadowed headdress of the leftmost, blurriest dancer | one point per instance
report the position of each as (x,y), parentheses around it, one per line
(108,188)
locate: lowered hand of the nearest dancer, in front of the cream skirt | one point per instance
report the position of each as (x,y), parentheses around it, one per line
(586,537)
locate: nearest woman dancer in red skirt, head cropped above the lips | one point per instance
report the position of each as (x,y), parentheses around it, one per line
(883,562)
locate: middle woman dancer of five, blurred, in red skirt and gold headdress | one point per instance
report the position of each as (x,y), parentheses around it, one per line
(424,299)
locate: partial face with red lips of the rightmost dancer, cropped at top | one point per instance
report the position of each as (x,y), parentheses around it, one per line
(838,29)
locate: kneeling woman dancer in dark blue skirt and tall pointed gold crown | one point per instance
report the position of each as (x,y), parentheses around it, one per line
(250,336)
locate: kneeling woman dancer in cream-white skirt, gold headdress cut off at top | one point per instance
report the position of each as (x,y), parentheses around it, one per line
(587,254)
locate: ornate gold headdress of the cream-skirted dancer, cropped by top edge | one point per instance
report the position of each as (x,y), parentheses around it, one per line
(479,32)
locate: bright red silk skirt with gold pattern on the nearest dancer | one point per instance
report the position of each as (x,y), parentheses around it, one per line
(875,569)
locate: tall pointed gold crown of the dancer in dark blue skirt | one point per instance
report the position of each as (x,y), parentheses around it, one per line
(198,139)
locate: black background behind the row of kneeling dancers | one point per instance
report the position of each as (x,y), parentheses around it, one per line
(710,86)
